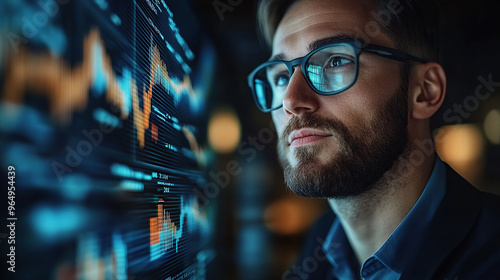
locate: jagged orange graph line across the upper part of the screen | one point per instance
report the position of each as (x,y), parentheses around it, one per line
(67,88)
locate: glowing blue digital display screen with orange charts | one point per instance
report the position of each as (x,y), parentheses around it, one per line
(103,108)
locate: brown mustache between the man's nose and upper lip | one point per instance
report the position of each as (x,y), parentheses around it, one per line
(338,129)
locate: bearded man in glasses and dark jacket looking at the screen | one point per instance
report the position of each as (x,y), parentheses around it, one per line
(351,86)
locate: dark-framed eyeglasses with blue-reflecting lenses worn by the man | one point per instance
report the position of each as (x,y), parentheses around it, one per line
(328,70)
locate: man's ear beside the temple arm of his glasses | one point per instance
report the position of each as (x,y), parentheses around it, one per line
(427,90)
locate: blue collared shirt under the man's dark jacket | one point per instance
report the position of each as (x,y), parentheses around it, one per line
(390,260)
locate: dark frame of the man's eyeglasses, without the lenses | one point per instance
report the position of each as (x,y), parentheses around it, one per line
(358,48)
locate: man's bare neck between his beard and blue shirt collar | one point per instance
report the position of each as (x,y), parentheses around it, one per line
(369,219)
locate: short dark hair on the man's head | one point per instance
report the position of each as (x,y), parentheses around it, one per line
(413,25)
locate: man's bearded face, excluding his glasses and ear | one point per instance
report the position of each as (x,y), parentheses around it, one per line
(338,145)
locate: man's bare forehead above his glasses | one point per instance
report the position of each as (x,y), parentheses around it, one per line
(307,21)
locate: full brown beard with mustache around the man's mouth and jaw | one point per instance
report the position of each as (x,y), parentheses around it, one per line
(361,160)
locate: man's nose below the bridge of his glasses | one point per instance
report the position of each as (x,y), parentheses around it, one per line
(299,97)
